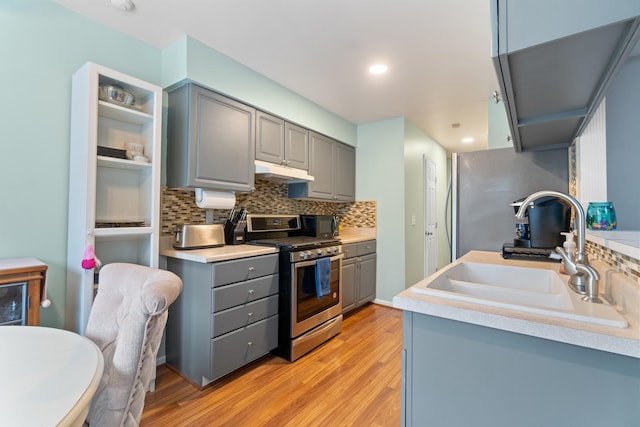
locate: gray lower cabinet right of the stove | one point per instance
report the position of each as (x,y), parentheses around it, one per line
(358,274)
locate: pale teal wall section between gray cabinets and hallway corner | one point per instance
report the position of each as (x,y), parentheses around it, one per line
(380,177)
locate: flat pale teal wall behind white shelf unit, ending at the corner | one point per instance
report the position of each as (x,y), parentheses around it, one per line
(41,45)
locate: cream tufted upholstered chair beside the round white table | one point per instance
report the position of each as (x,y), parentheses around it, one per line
(126,322)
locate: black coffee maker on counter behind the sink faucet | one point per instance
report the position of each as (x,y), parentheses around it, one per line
(538,233)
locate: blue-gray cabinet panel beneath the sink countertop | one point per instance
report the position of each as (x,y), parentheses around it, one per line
(459,374)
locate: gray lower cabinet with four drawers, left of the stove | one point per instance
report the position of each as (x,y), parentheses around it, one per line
(225,317)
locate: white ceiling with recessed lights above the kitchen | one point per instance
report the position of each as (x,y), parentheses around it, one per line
(438,52)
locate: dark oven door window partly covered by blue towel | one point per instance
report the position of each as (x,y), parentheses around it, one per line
(307,302)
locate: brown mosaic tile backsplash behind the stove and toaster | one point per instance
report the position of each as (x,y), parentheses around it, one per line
(179,207)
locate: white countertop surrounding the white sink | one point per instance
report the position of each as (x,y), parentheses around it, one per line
(615,340)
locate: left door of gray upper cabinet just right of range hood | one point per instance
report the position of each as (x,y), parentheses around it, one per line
(321,167)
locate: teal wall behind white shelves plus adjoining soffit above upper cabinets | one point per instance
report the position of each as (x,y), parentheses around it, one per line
(42,44)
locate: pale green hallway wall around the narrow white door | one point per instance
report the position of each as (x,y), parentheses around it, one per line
(417,144)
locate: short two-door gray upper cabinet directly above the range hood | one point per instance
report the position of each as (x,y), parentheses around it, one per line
(281,142)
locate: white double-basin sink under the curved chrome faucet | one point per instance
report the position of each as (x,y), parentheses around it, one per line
(532,290)
